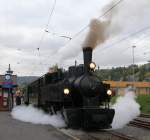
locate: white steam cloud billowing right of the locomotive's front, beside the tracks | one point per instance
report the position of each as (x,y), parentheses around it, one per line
(126,109)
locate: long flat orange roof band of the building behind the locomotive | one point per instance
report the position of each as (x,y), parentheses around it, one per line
(126,84)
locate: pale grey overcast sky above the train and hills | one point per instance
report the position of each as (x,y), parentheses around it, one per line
(23,22)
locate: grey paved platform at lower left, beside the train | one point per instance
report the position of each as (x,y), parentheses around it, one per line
(11,129)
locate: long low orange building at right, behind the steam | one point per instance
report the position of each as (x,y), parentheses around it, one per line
(120,86)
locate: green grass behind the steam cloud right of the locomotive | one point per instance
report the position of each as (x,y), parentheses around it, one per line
(143,100)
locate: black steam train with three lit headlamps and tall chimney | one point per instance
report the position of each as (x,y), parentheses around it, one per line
(78,94)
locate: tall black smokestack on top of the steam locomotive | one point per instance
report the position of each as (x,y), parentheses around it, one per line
(87,56)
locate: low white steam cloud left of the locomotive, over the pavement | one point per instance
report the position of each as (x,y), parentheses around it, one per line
(36,116)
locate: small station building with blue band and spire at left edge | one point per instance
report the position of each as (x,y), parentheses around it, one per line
(8,85)
